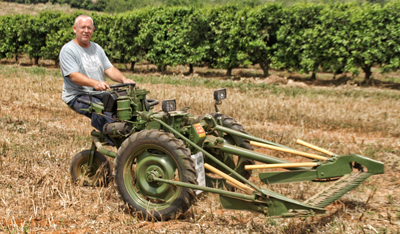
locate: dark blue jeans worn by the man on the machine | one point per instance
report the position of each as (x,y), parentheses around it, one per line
(98,121)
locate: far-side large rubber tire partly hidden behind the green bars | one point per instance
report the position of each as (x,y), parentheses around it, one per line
(231,123)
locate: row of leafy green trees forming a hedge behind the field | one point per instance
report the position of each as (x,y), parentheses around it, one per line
(304,37)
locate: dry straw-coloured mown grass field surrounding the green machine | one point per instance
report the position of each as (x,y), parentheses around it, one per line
(40,134)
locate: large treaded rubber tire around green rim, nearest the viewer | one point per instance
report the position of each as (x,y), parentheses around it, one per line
(171,147)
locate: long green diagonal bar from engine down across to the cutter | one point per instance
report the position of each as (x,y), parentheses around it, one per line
(210,156)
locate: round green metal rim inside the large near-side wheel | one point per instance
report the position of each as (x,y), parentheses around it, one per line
(144,160)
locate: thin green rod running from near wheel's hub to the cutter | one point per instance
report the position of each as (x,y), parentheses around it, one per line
(206,189)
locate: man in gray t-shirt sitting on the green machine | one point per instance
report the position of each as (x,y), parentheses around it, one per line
(84,65)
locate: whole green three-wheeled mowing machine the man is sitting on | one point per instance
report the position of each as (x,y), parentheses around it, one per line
(165,158)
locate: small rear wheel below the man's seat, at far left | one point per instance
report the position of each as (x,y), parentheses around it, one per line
(81,159)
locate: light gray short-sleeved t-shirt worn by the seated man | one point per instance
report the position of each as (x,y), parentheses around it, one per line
(92,62)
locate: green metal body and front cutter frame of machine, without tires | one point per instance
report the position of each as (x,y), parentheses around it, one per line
(180,123)
